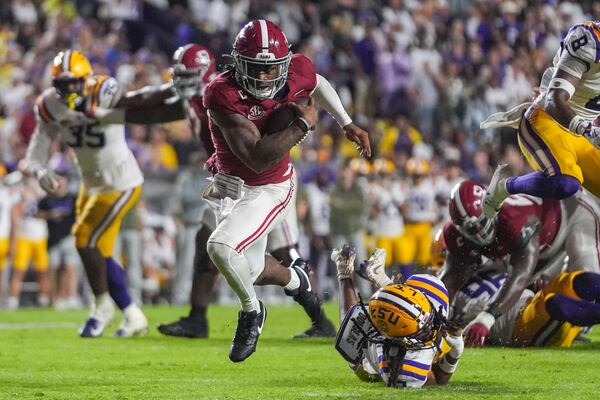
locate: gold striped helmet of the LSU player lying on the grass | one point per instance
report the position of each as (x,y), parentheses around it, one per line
(402,313)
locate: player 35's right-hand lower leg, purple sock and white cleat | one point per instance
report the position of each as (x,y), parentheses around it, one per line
(134,321)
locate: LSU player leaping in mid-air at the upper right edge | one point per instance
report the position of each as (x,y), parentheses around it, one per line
(556,133)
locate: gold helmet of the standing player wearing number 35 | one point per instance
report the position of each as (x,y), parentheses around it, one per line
(70,69)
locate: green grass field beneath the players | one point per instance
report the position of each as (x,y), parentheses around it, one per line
(41,357)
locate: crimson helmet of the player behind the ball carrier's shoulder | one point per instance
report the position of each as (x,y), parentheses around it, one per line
(193,66)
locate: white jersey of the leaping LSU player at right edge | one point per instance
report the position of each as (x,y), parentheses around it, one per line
(579,55)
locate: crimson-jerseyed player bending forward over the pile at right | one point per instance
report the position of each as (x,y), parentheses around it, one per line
(526,235)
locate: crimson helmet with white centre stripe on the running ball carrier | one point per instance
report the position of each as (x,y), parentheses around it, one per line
(261,55)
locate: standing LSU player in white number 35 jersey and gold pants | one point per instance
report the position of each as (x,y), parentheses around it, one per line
(111,181)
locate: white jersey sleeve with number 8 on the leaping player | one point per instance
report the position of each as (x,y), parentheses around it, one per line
(579,50)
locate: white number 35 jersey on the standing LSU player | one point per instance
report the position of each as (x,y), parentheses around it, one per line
(104,160)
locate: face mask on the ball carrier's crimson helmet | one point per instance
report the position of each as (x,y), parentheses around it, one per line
(260,88)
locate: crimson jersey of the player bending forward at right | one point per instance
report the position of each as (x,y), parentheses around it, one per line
(514,227)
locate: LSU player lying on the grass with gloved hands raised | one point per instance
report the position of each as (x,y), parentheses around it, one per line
(398,337)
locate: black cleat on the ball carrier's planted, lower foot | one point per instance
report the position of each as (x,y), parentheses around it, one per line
(249,327)
